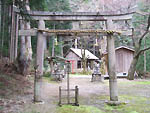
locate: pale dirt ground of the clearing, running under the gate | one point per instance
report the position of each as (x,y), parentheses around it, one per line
(136,93)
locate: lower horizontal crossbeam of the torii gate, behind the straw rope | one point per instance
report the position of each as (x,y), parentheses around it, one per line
(33,32)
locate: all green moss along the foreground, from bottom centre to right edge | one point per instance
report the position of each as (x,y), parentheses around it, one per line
(135,104)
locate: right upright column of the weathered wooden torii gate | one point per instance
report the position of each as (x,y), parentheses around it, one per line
(111,64)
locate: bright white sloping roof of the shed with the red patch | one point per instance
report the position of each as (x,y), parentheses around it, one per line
(88,54)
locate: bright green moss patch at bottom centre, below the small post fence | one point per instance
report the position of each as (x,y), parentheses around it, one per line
(78,109)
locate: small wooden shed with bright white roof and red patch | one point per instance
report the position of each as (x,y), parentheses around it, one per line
(74,56)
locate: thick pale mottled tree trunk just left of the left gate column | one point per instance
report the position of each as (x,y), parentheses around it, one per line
(25,55)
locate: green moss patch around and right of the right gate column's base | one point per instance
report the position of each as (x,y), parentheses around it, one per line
(135,104)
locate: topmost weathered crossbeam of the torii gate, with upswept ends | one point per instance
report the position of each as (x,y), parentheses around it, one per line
(78,16)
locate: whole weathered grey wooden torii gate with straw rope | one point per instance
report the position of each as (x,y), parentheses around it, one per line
(41,16)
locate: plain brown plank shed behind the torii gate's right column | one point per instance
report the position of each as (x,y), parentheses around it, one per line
(124,57)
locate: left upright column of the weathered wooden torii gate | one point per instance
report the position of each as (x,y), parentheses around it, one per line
(39,63)
